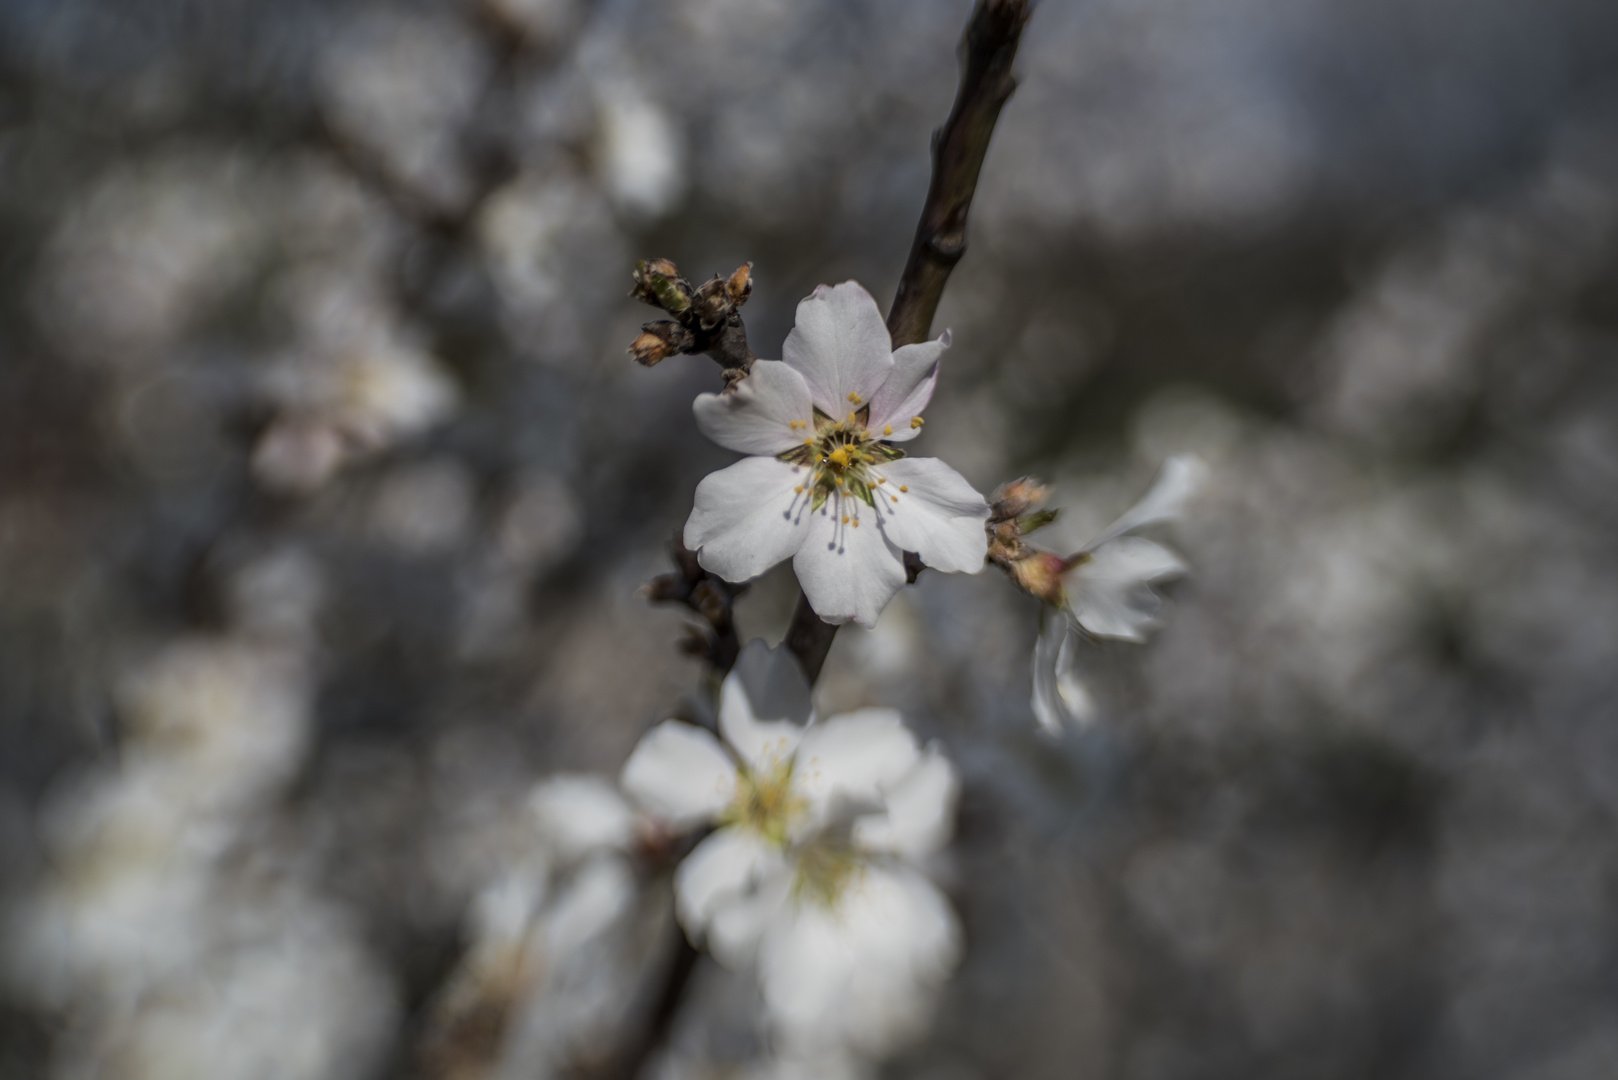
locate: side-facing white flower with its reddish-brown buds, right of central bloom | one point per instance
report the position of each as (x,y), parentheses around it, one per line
(1104,590)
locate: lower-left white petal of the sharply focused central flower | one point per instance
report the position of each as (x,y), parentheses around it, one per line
(747,517)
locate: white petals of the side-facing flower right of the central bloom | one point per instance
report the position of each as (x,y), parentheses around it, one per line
(1106,592)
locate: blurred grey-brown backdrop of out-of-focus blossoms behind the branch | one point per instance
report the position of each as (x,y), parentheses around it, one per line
(326,490)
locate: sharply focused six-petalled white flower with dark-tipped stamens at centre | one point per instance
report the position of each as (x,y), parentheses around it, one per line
(828,488)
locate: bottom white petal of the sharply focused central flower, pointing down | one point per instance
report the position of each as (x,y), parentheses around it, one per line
(845,571)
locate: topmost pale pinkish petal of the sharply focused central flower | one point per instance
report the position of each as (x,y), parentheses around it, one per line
(841,346)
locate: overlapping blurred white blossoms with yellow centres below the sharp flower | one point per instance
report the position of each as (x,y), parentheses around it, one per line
(813,867)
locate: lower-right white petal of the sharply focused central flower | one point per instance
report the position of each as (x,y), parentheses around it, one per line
(941,517)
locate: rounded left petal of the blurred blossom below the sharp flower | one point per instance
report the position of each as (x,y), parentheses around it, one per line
(680,773)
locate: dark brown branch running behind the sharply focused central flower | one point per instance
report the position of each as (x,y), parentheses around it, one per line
(959,148)
